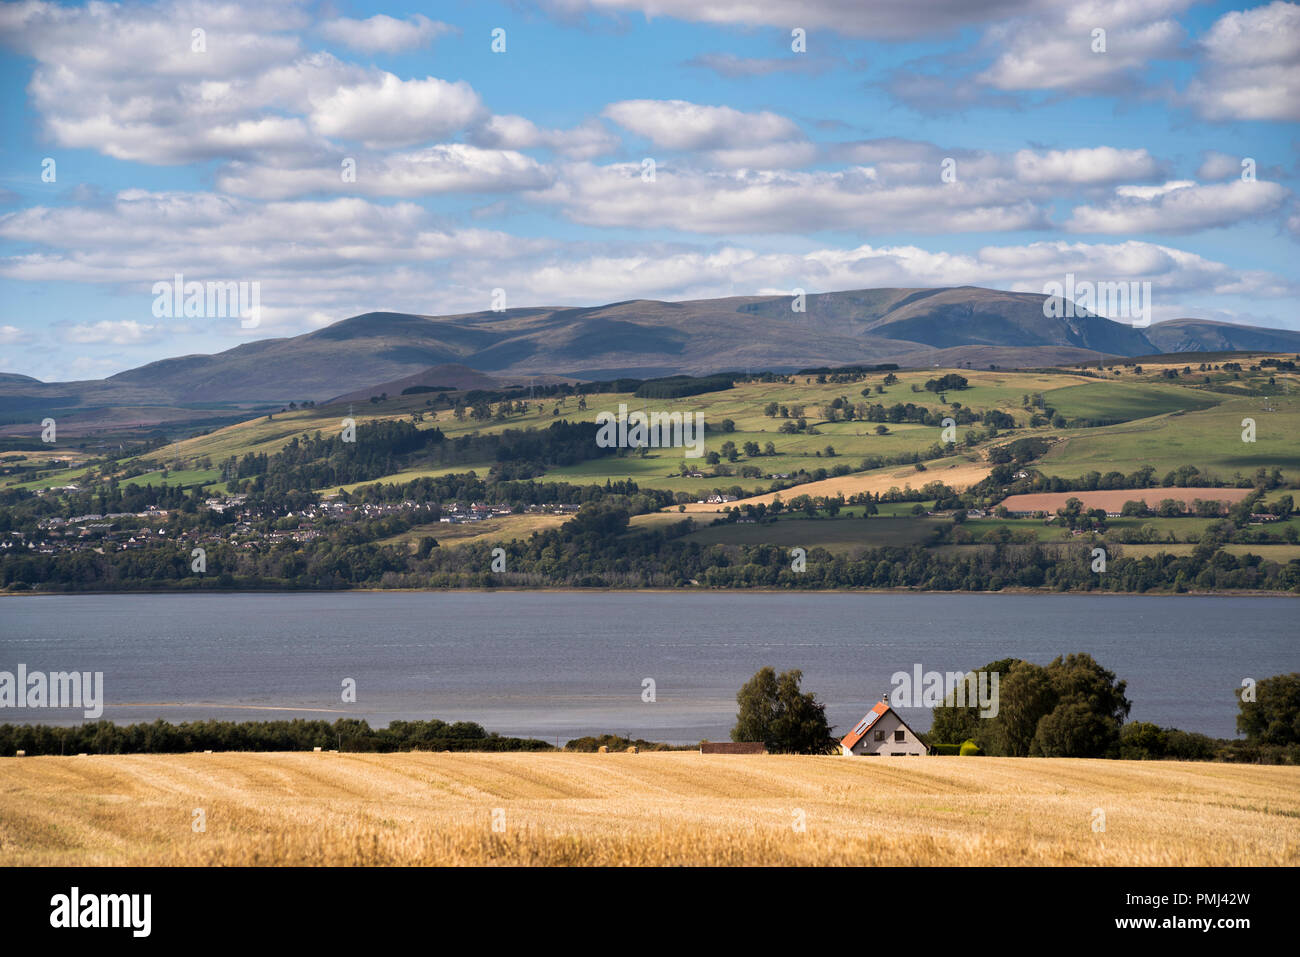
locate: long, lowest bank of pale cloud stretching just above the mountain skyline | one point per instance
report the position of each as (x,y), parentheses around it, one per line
(320,261)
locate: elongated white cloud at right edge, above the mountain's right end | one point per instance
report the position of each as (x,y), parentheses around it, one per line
(1180,207)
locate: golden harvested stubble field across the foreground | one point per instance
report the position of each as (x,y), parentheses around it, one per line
(642,809)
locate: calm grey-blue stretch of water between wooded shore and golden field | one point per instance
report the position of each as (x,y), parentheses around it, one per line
(564,665)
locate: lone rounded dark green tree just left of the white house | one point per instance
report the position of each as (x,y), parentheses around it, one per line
(775,712)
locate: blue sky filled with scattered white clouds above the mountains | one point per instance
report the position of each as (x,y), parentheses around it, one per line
(449,158)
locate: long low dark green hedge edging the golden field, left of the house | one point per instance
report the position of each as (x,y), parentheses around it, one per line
(298,735)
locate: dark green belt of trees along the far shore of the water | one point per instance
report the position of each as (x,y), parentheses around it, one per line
(596,549)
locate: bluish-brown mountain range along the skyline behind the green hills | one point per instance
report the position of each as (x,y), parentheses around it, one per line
(380,350)
